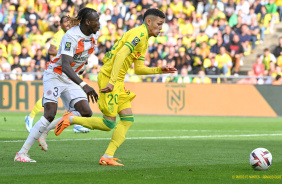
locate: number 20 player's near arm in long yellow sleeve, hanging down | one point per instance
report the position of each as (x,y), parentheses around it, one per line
(119,59)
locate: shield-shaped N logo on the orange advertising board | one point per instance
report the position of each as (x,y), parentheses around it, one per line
(176,98)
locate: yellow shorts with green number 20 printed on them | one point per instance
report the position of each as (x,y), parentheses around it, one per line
(110,104)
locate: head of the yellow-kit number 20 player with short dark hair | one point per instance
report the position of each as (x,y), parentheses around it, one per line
(154,19)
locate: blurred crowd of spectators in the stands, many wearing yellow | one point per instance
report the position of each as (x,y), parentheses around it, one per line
(202,37)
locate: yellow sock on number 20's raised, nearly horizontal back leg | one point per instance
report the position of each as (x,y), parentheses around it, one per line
(92,123)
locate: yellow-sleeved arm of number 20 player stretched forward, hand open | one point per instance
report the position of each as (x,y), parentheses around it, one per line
(141,69)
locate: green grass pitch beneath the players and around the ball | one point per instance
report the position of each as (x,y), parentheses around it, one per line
(159,149)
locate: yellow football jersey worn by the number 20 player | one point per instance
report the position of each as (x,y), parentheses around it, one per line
(136,40)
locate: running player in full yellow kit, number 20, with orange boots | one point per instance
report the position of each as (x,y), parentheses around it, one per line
(114,98)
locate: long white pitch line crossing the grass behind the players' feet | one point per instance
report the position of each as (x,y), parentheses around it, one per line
(155,138)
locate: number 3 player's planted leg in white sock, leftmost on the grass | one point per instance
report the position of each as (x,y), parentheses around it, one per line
(50,109)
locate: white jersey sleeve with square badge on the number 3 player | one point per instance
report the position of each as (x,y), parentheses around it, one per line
(68,45)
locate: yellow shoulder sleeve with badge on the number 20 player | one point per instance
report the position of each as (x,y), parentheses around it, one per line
(133,40)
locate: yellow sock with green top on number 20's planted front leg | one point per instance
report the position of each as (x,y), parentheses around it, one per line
(119,135)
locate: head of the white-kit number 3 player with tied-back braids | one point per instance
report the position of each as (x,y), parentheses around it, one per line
(88,18)
